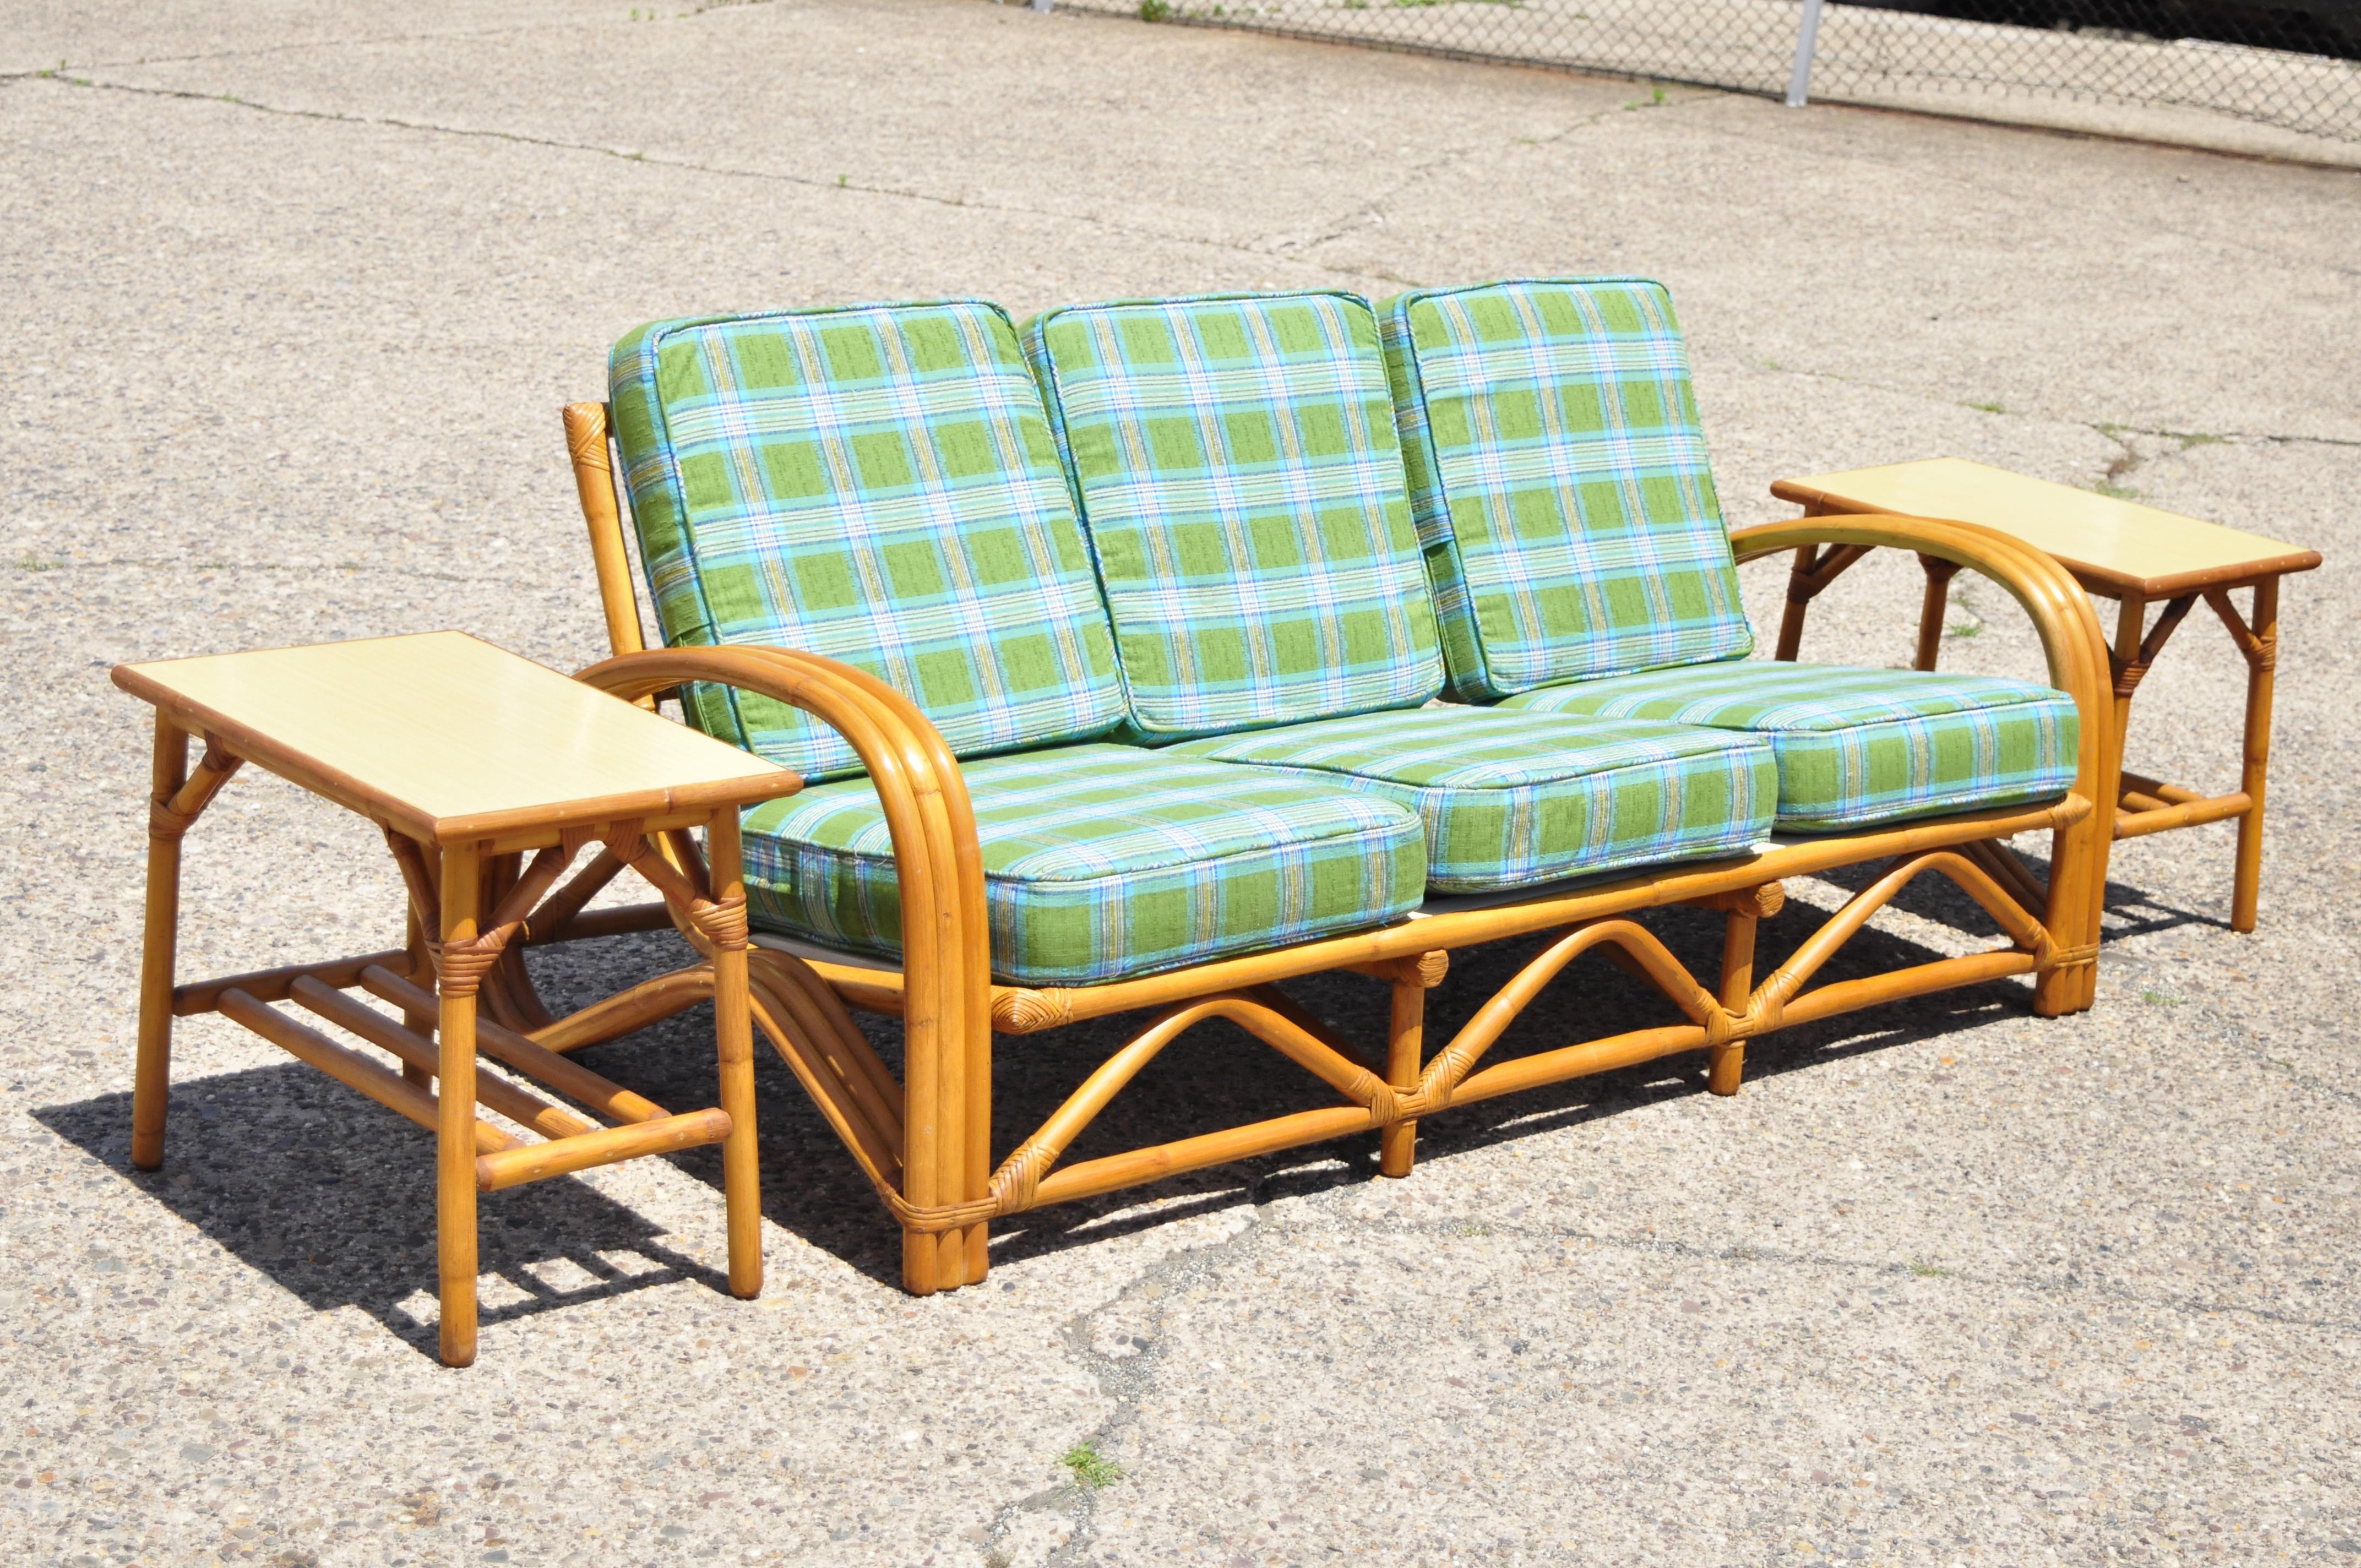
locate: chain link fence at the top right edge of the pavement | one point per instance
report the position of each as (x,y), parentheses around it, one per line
(2166,70)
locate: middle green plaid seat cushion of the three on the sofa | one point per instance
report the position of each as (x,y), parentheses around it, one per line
(1519,799)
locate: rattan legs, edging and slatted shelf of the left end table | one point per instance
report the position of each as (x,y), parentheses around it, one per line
(478,889)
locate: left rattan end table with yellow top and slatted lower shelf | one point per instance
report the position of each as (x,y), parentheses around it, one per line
(469,759)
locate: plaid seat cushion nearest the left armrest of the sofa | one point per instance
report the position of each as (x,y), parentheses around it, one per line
(1101,863)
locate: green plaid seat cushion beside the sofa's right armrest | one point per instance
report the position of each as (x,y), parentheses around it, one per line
(1859,747)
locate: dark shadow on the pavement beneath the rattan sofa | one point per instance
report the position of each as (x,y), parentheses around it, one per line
(1217,1076)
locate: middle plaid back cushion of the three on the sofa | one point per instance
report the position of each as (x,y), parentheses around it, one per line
(1241,481)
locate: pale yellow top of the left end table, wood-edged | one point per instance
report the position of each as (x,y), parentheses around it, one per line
(452,738)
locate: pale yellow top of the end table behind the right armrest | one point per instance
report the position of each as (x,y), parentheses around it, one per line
(2114,547)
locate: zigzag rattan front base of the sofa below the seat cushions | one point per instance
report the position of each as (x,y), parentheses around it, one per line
(872,1118)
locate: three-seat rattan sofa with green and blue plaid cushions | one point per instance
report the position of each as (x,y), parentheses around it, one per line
(1168,651)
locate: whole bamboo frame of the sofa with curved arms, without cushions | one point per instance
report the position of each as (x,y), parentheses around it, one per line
(927,1142)
